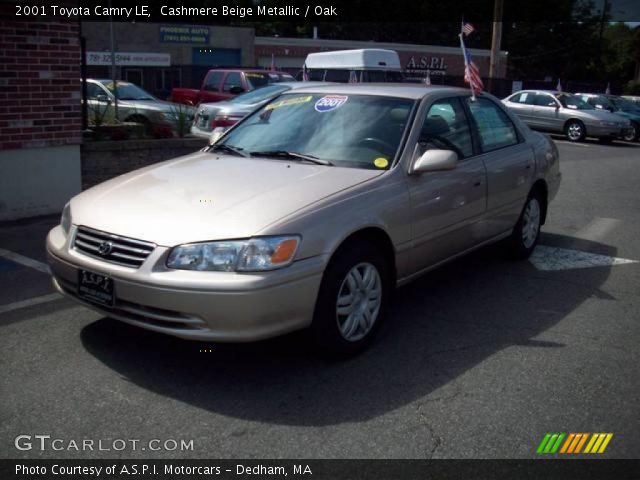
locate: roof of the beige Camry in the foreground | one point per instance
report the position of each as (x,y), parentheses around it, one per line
(403,90)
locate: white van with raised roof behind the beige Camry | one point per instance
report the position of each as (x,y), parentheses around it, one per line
(363,65)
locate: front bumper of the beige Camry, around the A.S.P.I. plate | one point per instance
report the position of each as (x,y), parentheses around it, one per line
(208,306)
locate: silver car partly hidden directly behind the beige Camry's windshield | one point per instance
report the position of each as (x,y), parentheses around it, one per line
(226,114)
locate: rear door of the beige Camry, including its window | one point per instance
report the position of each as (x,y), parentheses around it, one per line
(508,160)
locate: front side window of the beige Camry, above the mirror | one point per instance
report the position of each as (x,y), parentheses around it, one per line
(446,127)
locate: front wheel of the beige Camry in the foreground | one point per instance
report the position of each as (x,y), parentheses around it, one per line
(343,327)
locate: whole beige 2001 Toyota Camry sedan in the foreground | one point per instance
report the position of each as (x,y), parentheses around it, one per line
(306,214)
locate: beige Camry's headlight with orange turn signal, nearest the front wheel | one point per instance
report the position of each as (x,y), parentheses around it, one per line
(250,255)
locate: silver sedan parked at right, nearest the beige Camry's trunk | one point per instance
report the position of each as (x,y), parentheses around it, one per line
(566,113)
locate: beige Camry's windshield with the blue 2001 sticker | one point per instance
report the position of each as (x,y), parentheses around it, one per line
(362,131)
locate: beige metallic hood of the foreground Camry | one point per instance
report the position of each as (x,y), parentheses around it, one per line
(207,196)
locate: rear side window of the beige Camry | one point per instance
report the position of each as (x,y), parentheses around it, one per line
(495,128)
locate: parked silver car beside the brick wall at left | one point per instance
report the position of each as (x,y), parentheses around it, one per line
(134,105)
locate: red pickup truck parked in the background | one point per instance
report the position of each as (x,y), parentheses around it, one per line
(223,84)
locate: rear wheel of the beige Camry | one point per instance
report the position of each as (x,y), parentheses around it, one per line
(526,233)
